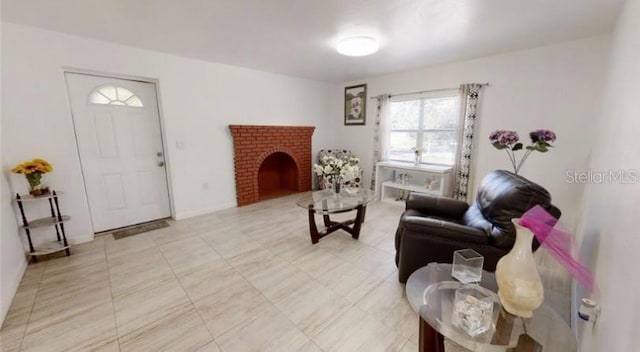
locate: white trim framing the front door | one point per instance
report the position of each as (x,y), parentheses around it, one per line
(163,136)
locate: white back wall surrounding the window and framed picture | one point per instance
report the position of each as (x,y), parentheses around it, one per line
(556,87)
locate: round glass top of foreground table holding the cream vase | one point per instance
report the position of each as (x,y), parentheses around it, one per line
(431,293)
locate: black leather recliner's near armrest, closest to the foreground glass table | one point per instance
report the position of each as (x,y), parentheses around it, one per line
(445,229)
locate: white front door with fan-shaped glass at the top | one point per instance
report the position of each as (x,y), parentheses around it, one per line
(118,133)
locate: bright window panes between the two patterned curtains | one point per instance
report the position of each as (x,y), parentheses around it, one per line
(429,123)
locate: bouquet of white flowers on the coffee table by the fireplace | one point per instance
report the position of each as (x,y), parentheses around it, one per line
(334,172)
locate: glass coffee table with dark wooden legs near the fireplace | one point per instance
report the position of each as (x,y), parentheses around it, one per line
(327,202)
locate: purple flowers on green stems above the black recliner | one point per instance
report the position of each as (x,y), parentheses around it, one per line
(509,141)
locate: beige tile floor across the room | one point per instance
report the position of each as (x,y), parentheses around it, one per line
(243,279)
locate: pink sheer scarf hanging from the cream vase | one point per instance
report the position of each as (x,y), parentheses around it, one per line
(557,242)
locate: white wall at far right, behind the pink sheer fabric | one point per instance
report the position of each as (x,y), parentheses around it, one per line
(609,226)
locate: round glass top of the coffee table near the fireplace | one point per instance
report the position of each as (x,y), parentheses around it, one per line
(327,202)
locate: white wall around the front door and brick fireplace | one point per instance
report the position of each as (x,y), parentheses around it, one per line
(198,99)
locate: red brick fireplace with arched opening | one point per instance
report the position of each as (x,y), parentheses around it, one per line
(271,161)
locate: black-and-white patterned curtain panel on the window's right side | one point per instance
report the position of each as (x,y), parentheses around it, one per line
(471,97)
